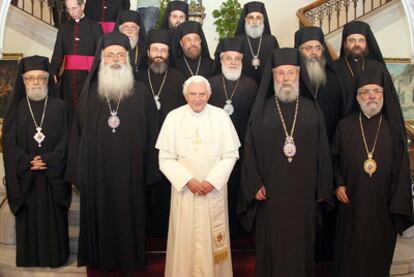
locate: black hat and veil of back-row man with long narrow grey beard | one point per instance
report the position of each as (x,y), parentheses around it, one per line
(314,33)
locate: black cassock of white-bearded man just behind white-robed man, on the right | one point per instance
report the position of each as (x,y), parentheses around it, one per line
(242,100)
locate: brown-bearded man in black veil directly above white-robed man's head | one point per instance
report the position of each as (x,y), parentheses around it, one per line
(191,51)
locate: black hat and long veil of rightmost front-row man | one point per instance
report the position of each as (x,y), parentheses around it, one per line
(400,205)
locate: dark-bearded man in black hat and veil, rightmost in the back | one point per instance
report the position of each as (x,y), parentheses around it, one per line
(359,51)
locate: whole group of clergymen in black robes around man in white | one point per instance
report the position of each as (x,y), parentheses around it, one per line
(260,139)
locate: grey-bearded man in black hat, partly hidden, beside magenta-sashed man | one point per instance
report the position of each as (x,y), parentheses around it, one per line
(129,23)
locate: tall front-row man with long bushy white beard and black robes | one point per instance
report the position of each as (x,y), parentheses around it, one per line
(111,159)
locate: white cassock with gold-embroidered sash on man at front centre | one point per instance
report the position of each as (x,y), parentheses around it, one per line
(203,146)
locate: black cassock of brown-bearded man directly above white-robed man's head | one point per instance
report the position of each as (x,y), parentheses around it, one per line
(205,70)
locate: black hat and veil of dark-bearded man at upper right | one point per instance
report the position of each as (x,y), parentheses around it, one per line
(360,27)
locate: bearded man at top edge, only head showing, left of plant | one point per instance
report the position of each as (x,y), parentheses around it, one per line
(175,14)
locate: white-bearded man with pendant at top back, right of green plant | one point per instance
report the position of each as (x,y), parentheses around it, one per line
(253,29)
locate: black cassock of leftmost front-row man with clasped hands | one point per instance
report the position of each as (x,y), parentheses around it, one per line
(39,199)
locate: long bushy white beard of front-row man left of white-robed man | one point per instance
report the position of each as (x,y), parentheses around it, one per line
(115,83)
